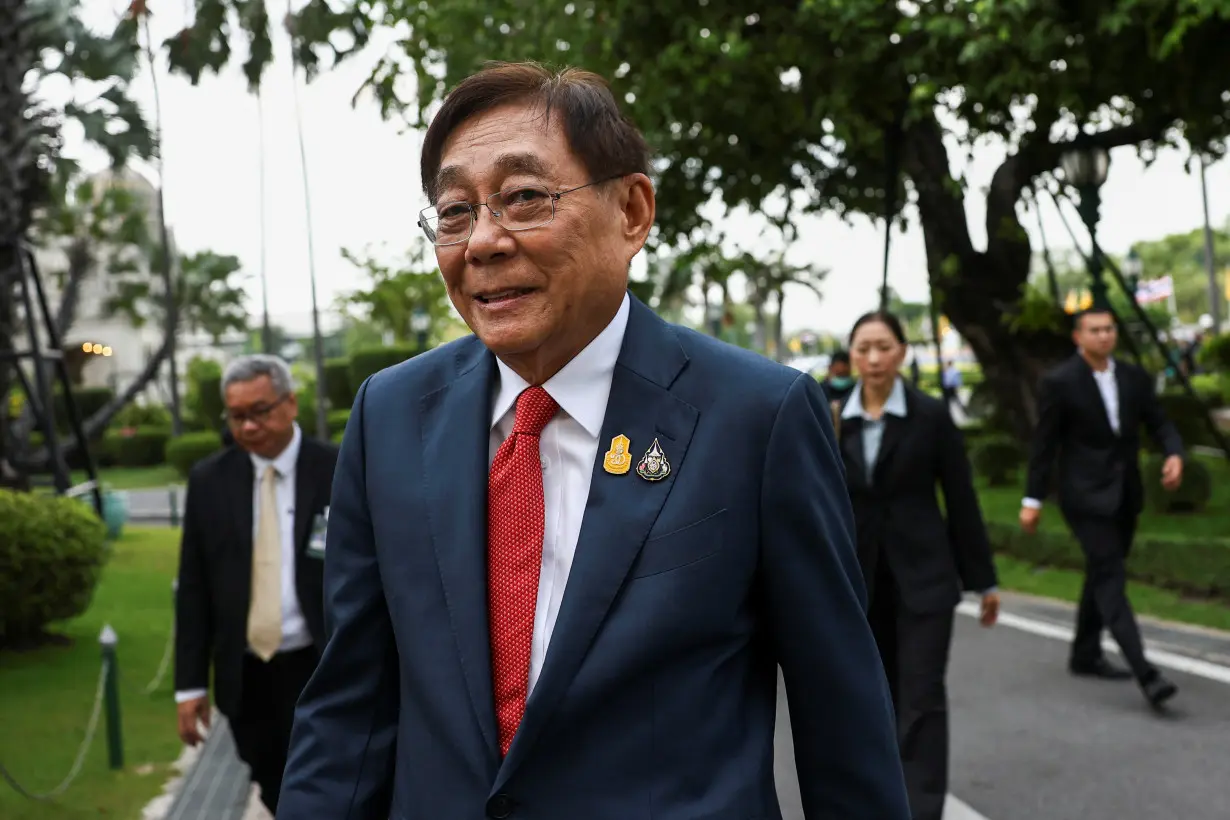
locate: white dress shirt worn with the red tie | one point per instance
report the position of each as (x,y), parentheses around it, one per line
(569,447)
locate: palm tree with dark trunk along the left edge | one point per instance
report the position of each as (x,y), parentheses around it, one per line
(46,40)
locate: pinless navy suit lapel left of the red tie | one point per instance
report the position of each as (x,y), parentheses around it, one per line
(457,440)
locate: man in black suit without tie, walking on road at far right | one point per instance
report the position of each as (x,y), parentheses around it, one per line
(1090,412)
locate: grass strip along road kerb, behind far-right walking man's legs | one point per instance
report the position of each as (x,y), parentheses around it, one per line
(1065,585)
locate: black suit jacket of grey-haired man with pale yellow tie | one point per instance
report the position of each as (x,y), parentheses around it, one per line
(216,566)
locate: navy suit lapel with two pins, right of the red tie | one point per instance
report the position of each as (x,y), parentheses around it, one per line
(619,513)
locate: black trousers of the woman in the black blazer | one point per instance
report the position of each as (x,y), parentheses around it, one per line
(915,650)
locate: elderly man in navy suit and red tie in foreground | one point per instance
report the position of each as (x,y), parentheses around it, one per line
(568,555)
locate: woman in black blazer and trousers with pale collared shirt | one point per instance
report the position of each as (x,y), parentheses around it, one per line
(899,444)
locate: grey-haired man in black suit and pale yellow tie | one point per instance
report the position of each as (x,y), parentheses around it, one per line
(250,598)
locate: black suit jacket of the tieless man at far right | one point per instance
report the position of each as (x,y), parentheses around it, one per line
(1099,471)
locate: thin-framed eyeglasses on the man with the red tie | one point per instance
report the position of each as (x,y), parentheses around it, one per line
(516,210)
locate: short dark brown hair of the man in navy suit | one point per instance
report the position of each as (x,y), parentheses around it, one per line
(602,137)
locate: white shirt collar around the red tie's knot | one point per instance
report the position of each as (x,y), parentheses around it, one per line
(582,387)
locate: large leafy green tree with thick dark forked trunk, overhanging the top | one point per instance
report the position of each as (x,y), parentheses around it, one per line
(816,104)
